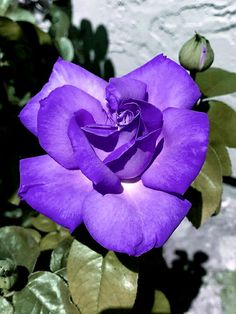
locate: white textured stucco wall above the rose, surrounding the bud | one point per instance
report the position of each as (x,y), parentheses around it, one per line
(140,29)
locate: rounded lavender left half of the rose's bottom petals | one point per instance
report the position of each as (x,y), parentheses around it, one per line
(112,222)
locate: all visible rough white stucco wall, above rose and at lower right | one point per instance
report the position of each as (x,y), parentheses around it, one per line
(139,30)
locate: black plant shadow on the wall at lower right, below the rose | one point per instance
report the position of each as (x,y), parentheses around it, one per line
(180,283)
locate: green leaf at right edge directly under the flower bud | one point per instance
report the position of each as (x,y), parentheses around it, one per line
(215,82)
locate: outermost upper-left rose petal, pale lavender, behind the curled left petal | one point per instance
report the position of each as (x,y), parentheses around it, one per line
(63,73)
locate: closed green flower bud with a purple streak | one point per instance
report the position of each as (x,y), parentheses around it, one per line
(196,54)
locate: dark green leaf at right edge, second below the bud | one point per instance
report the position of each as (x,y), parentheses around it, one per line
(224,119)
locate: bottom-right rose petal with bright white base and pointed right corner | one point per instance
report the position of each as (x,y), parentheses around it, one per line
(159,212)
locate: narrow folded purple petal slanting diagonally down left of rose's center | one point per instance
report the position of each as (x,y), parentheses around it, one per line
(92,167)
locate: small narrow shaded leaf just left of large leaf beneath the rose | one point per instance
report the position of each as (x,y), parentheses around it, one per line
(60,254)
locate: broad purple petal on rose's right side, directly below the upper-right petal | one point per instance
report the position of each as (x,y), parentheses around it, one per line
(185,135)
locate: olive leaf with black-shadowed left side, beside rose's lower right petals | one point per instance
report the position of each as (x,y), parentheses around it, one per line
(209,184)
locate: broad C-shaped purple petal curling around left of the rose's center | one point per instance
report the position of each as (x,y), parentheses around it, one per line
(53,120)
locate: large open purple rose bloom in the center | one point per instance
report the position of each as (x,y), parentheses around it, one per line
(120,155)
